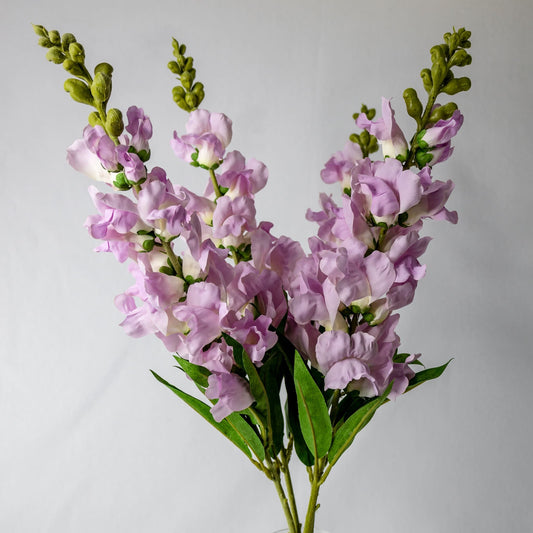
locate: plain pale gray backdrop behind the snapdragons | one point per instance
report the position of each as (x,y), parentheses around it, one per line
(91,442)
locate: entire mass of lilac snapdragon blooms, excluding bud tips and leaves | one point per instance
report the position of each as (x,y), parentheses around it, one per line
(206,270)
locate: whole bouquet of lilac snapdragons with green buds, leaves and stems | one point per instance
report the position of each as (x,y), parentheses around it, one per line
(290,352)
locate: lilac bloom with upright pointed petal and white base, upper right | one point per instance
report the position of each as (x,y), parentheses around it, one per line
(387,131)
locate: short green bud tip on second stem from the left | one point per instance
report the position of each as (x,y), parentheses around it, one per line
(189,94)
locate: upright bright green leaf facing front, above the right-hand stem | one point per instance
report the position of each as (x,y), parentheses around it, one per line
(312,410)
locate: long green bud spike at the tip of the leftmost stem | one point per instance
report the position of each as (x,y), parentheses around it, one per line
(82,87)
